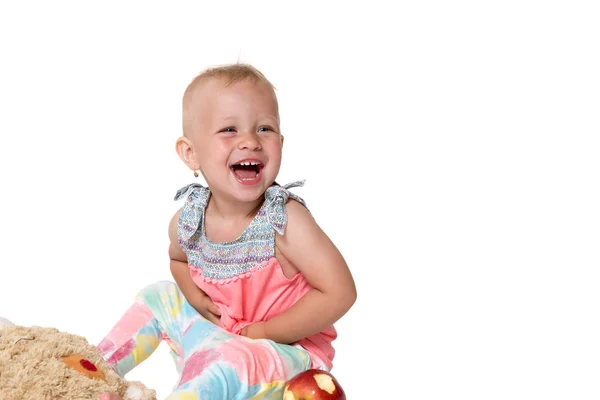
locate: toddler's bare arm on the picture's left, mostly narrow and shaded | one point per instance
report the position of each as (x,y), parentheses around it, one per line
(181,273)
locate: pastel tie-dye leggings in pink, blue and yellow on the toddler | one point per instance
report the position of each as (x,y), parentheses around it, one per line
(213,363)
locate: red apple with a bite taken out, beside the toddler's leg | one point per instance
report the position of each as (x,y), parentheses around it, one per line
(313,384)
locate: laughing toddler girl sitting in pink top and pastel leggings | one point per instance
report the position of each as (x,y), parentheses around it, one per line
(258,285)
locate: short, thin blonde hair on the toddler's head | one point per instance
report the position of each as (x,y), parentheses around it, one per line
(228,75)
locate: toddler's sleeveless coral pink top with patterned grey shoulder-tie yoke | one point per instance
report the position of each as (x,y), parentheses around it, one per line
(243,277)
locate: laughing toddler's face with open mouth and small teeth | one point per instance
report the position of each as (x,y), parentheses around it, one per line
(238,124)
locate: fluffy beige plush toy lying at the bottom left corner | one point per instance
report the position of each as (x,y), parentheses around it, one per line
(43,363)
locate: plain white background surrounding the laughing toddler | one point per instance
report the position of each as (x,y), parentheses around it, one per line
(450,150)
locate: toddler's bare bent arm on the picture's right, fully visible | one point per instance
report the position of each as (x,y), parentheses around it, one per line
(308,248)
